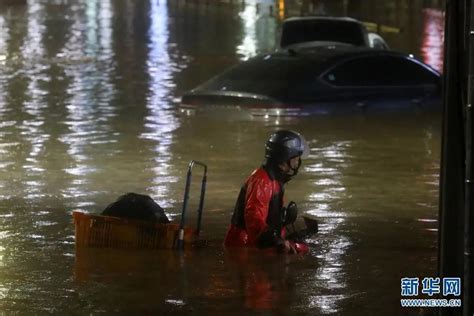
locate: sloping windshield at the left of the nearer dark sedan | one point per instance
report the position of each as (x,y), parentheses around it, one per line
(273,76)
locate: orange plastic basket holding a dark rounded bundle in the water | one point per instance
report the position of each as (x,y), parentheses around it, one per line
(113,232)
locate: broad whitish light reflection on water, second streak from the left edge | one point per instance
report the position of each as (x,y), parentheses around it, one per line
(89,93)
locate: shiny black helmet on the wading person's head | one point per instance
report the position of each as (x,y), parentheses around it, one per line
(284,145)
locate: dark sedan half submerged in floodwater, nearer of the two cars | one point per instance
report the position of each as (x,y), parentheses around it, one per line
(322,80)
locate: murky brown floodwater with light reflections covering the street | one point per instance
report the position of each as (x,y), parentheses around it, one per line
(89,94)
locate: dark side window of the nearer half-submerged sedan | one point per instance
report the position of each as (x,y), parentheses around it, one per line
(380,71)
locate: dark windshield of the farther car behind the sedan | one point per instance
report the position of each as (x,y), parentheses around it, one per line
(294,32)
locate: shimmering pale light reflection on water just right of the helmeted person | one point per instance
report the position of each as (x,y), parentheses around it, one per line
(331,162)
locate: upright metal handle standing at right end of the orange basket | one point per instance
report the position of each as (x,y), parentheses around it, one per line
(180,244)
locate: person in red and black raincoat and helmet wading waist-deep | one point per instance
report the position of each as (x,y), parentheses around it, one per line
(259,217)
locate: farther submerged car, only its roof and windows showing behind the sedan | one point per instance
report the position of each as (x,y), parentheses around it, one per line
(347,30)
